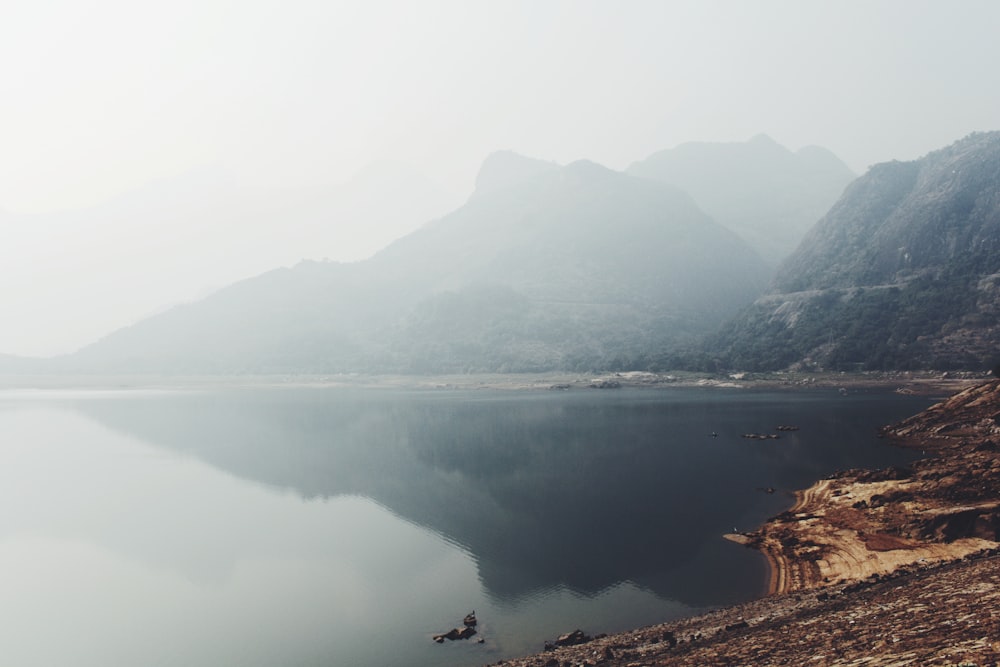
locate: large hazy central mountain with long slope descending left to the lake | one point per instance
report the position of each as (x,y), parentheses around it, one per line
(576,267)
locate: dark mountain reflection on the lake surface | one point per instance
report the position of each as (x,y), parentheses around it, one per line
(575,492)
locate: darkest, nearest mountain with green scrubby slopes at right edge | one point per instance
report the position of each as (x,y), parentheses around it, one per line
(903,272)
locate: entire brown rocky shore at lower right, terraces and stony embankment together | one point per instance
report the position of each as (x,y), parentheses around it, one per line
(890,567)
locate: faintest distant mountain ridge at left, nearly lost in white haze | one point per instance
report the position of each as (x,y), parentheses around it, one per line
(92,271)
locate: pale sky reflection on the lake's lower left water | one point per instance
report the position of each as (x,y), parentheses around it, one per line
(114,552)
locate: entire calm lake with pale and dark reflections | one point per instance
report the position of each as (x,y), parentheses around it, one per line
(345,527)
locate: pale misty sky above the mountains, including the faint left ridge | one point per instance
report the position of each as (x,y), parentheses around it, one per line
(104,98)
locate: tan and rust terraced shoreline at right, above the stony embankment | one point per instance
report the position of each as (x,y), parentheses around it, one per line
(862,523)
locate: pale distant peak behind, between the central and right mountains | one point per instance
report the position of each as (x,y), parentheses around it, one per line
(759,189)
